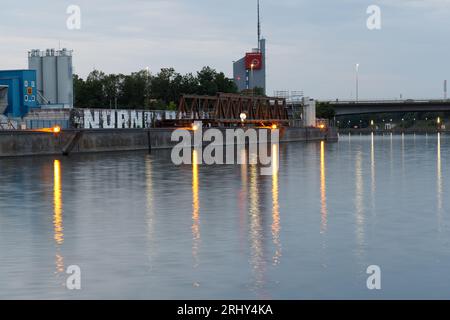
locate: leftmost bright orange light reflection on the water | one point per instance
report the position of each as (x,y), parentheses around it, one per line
(58,228)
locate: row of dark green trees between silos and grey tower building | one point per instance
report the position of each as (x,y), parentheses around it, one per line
(143,90)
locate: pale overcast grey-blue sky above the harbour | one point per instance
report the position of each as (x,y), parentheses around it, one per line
(313,45)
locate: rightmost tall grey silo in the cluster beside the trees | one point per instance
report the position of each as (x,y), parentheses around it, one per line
(65,78)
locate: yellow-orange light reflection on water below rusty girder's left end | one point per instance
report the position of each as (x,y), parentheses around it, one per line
(195,209)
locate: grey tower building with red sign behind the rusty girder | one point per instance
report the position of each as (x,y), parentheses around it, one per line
(250,71)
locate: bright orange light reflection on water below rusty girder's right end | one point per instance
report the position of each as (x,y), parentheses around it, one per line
(276,225)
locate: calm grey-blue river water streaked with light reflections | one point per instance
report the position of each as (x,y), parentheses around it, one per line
(142,228)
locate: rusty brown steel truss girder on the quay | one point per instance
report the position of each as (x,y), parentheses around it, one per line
(227,108)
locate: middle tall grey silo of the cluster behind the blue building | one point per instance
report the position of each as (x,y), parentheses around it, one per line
(49,76)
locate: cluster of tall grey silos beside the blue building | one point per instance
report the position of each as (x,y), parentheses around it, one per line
(54,76)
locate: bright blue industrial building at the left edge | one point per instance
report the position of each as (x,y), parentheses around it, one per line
(22,91)
